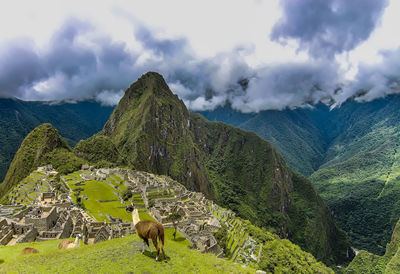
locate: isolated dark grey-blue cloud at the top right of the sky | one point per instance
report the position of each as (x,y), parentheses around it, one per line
(327,27)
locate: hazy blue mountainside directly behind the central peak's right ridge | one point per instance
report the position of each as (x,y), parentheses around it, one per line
(292,132)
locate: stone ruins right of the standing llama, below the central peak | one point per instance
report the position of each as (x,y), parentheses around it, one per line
(197,224)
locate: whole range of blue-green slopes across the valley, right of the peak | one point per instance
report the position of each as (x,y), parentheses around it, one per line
(350,154)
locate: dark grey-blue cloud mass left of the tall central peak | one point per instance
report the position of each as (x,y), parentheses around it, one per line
(68,67)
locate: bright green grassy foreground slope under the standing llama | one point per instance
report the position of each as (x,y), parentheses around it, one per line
(118,255)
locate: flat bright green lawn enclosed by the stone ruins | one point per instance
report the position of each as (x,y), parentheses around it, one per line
(97,191)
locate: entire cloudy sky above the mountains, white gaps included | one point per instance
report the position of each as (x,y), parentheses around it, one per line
(251,54)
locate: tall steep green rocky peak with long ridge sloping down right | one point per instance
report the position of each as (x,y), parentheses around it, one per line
(153,131)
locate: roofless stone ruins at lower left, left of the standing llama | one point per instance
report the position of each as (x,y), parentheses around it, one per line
(55,218)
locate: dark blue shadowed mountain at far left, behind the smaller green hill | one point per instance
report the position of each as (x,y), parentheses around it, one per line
(75,121)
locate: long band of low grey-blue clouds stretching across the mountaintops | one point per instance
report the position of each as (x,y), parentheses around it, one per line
(80,63)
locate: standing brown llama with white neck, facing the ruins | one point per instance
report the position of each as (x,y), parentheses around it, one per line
(148,229)
